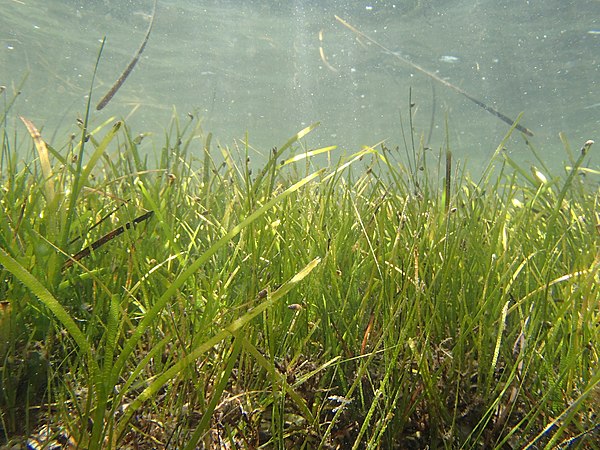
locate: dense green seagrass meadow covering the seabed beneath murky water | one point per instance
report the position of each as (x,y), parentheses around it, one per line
(387,300)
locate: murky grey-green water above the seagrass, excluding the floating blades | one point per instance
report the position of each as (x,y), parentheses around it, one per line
(255,67)
